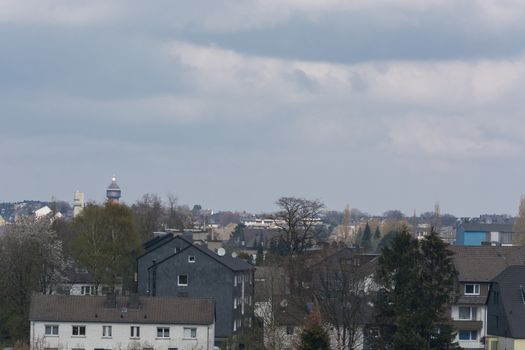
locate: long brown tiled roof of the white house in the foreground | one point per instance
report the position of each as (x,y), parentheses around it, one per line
(160,310)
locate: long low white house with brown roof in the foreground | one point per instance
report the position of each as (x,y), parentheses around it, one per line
(66,322)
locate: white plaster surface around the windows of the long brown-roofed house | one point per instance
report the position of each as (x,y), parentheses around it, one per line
(120,337)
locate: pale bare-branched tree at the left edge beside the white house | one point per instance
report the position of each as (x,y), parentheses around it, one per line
(31,261)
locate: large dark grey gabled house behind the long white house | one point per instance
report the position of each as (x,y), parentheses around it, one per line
(174,266)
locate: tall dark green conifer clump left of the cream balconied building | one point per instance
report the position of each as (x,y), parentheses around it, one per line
(418,280)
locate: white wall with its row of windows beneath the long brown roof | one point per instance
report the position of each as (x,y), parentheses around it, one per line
(105,335)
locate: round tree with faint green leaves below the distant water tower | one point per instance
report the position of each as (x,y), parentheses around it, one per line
(105,241)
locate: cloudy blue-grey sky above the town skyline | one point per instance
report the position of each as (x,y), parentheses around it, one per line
(385,104)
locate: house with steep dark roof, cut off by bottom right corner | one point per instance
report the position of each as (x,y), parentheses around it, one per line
(506,310)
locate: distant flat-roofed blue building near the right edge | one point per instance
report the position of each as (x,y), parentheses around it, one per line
(478,234)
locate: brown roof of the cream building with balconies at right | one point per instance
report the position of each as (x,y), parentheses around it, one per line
(483,263)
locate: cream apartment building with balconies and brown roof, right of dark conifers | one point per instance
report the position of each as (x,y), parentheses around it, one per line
(477,266)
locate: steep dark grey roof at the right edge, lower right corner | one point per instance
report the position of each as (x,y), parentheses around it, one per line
(511,282)
